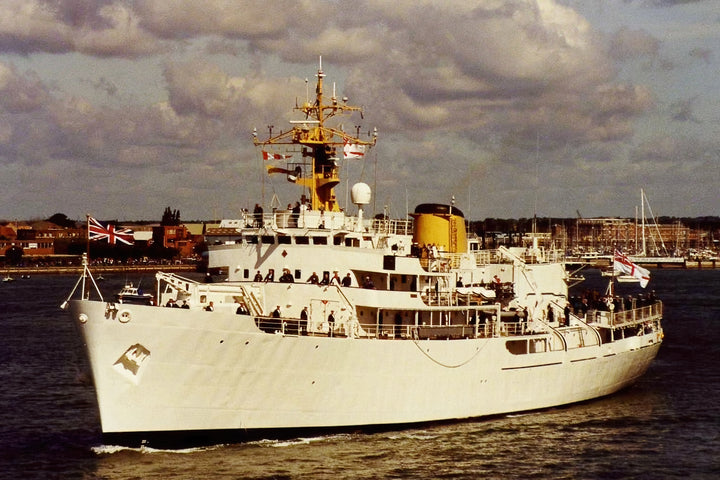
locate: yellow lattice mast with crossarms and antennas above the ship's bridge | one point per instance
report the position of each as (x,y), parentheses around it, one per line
(318,170)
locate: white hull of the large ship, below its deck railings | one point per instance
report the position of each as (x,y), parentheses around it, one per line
(176,374)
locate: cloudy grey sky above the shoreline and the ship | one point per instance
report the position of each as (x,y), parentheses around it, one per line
(119,109)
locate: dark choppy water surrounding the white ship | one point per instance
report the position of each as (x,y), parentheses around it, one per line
(665,426)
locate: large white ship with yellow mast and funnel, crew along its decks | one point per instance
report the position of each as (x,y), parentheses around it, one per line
(429,328)
